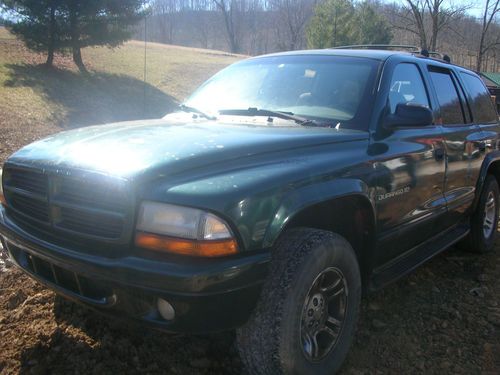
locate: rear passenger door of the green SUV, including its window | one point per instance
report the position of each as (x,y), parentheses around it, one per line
(464,143)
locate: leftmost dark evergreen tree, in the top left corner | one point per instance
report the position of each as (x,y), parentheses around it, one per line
(36,26)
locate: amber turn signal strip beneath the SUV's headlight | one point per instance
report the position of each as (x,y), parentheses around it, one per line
(212,248)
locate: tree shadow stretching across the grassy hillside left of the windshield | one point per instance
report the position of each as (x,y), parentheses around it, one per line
(93,98)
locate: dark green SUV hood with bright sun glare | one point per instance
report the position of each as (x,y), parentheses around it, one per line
(131,148)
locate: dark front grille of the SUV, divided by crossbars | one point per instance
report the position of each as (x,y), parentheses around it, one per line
(92,207)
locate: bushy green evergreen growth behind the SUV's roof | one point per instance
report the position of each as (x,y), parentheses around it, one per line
(340,22)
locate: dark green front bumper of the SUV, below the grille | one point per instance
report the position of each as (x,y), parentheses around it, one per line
(207,294)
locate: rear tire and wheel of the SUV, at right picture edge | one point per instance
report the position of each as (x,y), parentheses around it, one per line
(479,239)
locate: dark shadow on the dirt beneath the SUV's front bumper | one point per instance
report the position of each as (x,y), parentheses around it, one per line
(87,342)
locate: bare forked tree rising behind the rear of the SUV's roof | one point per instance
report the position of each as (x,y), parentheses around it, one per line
(427,18)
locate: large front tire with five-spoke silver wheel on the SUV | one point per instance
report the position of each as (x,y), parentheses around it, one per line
(276,339)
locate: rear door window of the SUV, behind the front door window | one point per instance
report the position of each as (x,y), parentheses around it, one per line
(451,107)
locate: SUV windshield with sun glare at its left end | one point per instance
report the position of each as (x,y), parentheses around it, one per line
(331,89)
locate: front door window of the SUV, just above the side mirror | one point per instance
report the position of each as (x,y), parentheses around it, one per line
(407,87)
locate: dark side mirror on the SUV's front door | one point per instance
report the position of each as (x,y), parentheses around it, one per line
(409,115)
